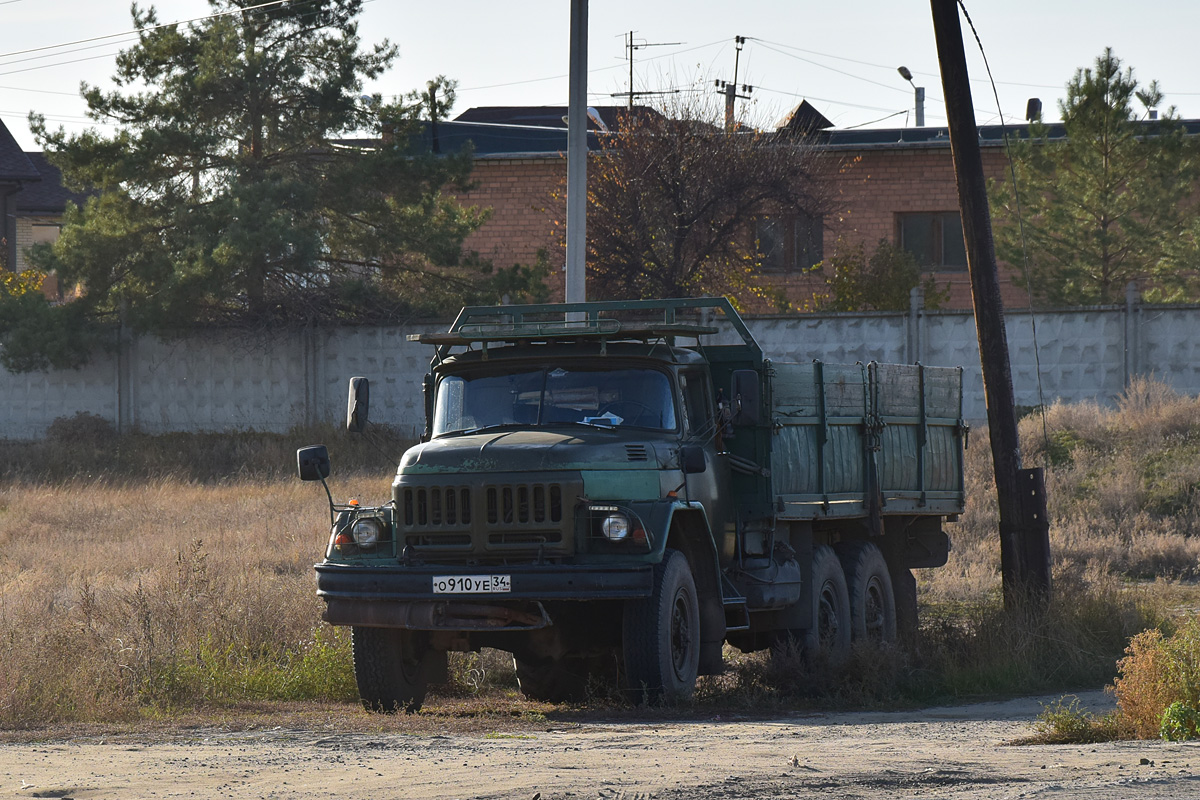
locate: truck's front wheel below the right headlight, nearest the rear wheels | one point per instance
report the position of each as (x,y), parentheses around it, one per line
(661,636)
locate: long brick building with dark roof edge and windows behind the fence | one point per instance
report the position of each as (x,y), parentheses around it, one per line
(891,184)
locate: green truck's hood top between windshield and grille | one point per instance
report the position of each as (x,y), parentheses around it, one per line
(509,452)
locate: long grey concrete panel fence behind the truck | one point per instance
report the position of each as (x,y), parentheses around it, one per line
(224,382)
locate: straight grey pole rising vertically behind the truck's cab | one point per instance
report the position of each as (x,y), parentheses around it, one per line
(578,157)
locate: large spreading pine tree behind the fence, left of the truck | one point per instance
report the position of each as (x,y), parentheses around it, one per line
(227,196)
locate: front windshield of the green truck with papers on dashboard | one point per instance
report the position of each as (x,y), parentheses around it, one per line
(555,396)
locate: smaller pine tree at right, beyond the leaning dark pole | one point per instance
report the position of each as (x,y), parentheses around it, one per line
(1105,204)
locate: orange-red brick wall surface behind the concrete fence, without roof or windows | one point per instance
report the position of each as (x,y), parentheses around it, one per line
(869,189)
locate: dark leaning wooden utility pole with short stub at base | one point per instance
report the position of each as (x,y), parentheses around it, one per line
(1021,494)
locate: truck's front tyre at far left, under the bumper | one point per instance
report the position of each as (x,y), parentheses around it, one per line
(391,669)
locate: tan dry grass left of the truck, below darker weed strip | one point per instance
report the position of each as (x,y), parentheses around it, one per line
(116,600)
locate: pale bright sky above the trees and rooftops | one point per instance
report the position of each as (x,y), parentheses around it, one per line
(841,57)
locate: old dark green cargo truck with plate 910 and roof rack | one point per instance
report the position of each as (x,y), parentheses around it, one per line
(613,491)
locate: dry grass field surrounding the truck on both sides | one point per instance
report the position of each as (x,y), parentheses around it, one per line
(157,578)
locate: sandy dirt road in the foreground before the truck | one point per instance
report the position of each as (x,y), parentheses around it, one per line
(944,753)
